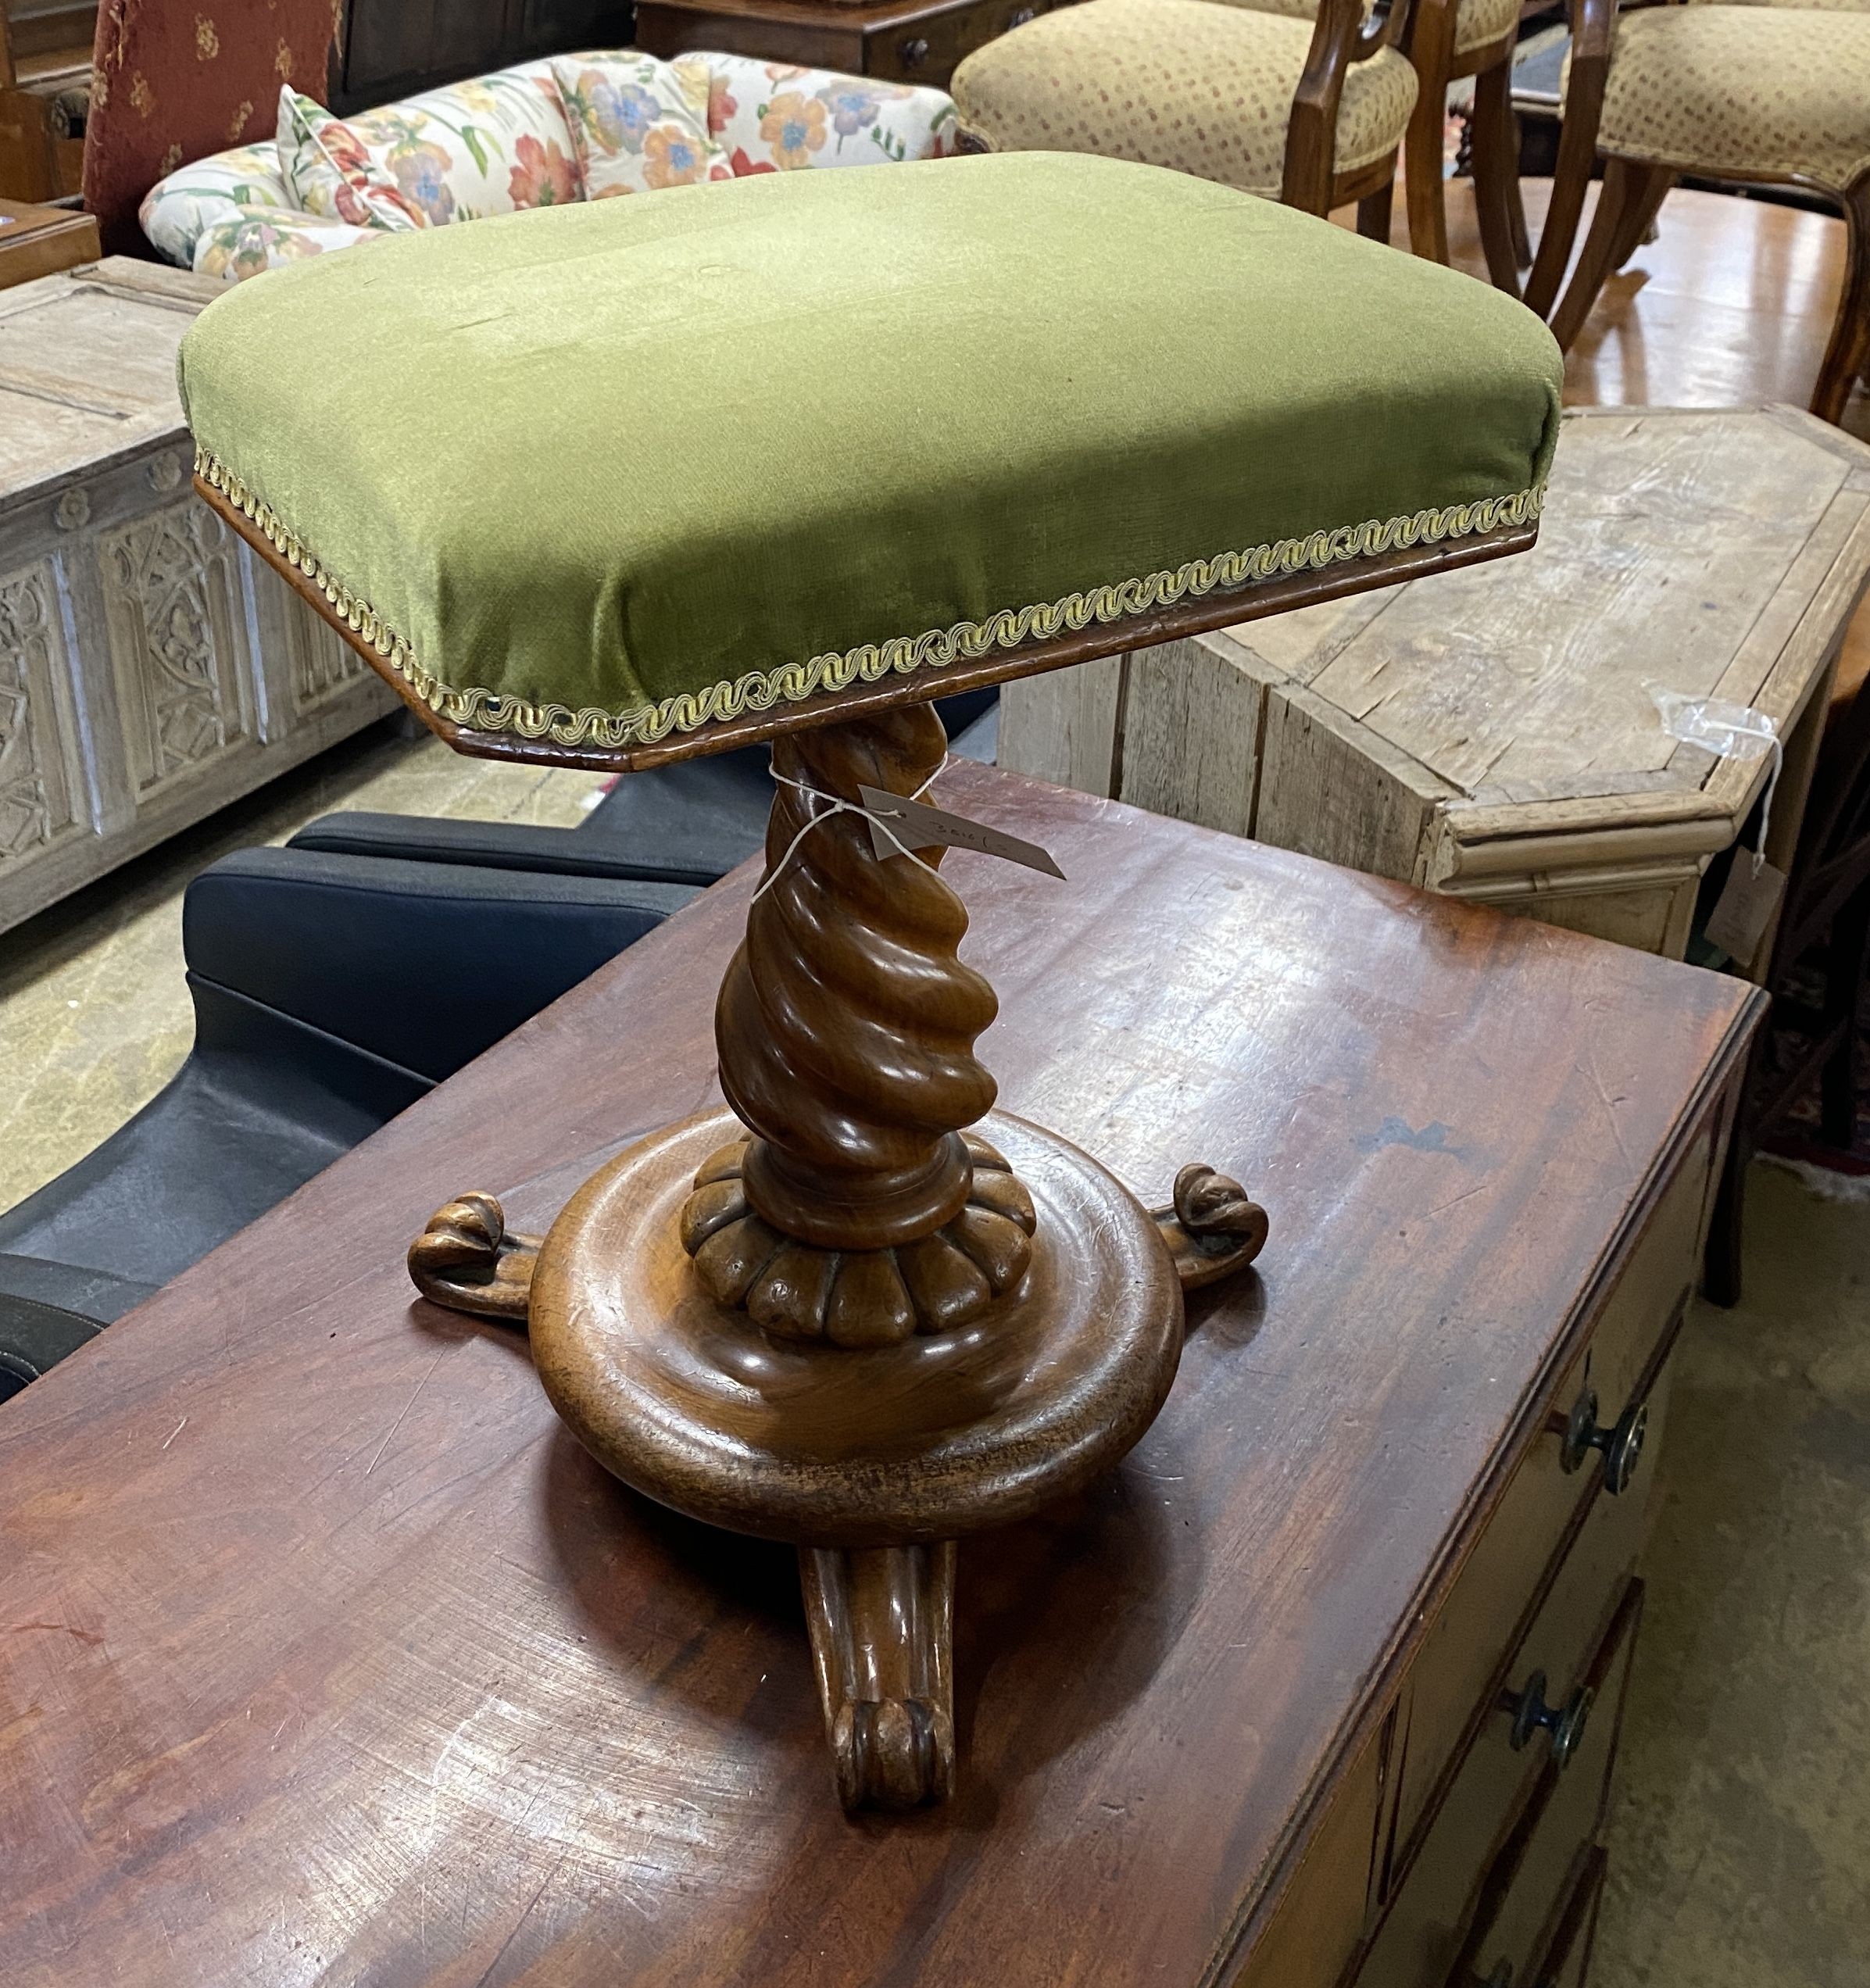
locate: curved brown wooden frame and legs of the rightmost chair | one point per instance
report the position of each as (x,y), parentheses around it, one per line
(1631,200)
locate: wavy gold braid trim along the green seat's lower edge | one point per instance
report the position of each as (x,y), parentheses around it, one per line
(760,691)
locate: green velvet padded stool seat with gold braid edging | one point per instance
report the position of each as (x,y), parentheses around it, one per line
(609,472)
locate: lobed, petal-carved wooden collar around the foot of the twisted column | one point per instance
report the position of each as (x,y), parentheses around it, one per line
(798,1291)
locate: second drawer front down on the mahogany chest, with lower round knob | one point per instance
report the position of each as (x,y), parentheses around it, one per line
(1442,1890)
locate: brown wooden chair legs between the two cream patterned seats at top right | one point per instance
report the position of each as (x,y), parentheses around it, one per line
(1493,144)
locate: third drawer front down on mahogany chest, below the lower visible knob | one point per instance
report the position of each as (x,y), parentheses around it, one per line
(1525,1892)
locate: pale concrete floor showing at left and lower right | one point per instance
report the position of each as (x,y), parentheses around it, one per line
(1742,1826)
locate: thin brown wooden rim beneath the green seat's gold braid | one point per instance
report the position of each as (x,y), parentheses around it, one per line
(1144,631)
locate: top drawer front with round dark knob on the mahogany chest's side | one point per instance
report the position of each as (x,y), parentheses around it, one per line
(1541,1508)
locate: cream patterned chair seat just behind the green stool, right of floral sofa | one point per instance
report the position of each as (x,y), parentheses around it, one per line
(1185,84)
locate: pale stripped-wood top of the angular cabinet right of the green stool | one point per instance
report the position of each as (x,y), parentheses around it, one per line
(1706,552)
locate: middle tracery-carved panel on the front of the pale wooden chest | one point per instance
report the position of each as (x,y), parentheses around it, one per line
(178,639)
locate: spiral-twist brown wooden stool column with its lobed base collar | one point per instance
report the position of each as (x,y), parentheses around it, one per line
(859,1212)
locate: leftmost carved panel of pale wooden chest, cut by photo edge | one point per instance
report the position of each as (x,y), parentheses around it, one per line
(39,804)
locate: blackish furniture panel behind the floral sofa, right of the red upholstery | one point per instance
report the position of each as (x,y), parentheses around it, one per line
(398,47)
